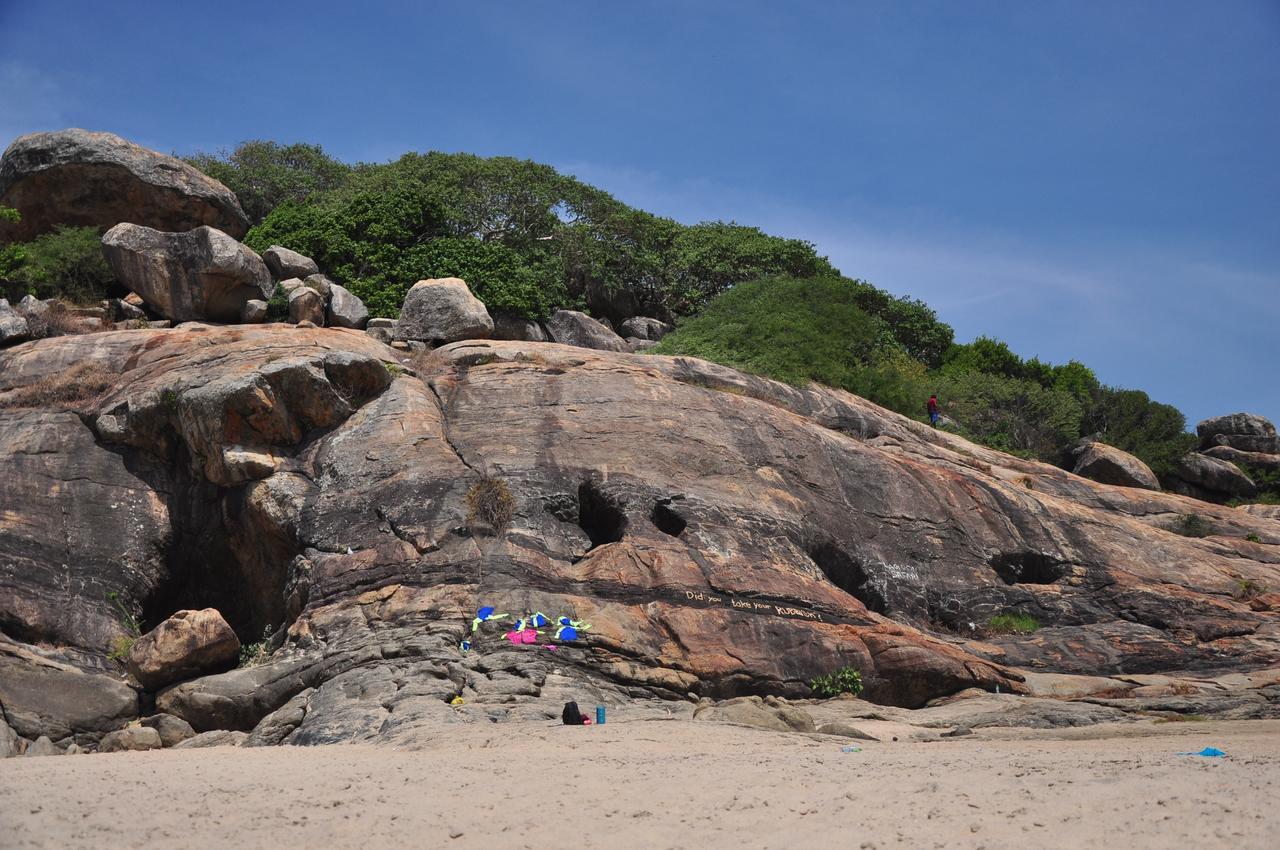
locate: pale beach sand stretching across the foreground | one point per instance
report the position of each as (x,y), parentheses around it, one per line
(668,784)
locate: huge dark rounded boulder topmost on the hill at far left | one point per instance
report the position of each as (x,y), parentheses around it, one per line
(99,180)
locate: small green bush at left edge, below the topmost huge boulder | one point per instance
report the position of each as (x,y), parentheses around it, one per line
(66,264)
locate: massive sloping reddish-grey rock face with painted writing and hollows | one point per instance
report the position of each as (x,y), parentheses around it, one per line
(711,533)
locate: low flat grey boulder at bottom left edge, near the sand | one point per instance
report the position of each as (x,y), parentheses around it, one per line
(60,701)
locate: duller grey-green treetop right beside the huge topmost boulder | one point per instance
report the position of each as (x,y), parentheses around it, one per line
(267,175)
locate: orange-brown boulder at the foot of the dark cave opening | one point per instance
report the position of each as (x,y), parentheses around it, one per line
(188,645)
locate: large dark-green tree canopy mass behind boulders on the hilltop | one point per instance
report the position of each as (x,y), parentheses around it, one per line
(525,237)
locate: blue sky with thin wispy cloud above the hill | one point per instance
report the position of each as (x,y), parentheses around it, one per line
(1091,181)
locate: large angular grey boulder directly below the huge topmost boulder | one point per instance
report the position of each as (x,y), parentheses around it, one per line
(200,275)
